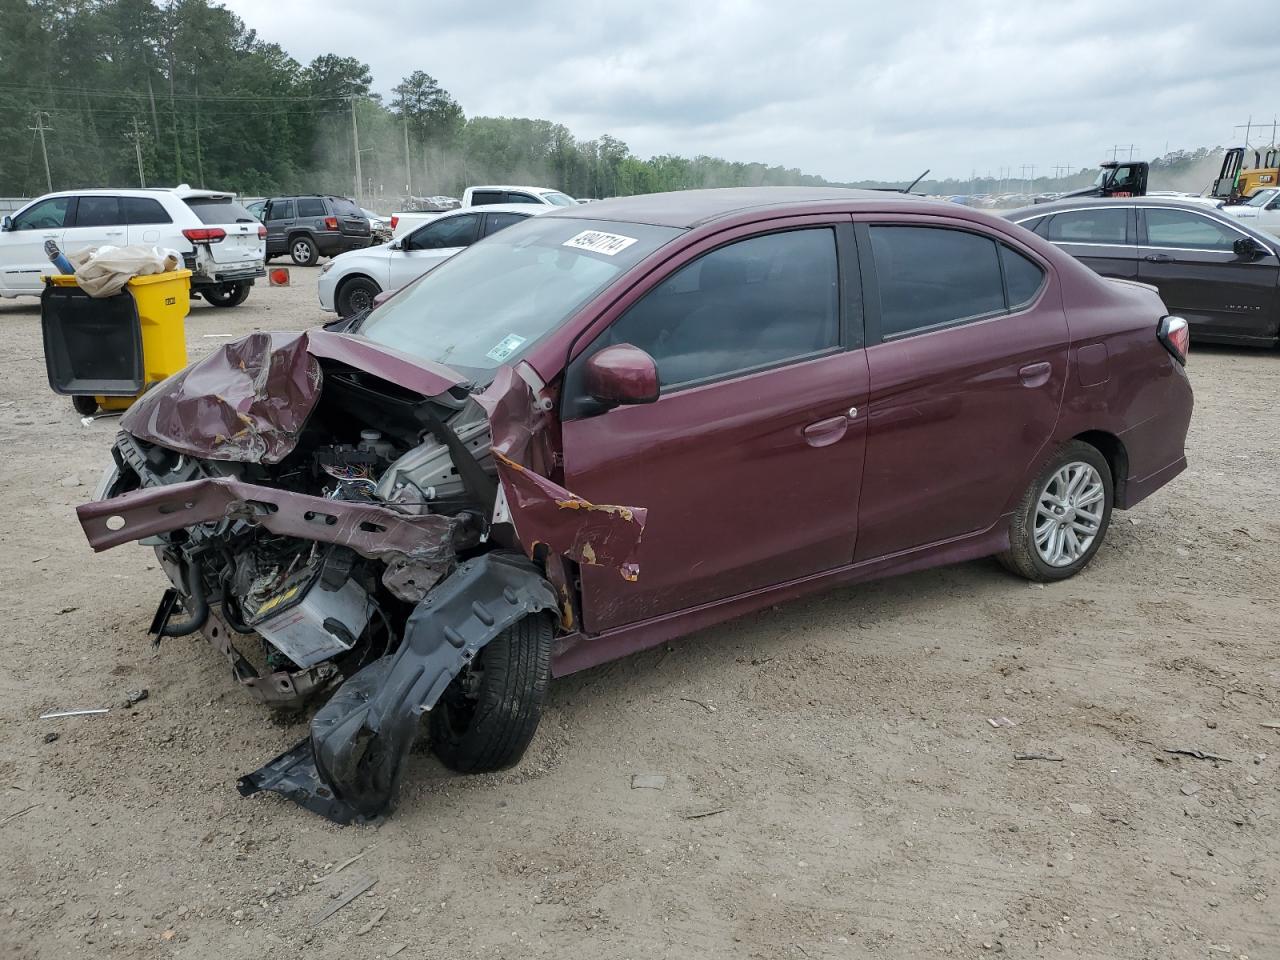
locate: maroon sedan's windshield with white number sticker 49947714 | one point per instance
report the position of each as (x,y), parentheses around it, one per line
(488,305)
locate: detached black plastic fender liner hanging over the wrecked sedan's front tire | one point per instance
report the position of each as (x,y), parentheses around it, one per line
(350,769)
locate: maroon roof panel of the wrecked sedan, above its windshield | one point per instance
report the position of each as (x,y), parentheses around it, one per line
(694,208)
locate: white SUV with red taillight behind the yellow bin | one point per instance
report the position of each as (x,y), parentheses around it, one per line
(221,243)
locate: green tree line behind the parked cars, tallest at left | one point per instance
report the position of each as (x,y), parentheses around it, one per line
(129,92)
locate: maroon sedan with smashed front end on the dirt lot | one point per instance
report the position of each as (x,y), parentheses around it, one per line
(618,424)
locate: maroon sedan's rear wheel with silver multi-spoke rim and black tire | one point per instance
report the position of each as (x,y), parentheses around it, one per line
(1064,515)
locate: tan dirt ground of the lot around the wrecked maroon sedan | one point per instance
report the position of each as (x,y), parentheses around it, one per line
(834,784)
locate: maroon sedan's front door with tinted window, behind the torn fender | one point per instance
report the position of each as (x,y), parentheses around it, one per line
(751,461)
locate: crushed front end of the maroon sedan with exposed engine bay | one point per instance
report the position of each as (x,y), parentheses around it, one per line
(335,533)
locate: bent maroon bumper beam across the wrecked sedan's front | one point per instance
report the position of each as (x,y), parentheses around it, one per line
(372,531)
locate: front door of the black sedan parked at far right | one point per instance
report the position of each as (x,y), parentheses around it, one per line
(1191,259)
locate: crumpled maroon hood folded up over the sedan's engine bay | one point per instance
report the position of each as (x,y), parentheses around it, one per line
(249,400)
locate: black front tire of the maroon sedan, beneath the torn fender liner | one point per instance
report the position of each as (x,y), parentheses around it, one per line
(490,712)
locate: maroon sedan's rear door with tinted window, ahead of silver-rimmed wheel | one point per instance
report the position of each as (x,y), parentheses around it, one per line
(967,353)
